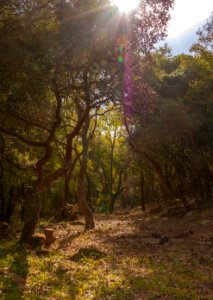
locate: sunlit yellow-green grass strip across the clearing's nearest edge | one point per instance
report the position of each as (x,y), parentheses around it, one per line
(25,275)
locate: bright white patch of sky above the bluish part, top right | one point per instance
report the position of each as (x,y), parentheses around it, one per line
(187,13)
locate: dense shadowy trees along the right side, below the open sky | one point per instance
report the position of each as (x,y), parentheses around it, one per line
(170,125)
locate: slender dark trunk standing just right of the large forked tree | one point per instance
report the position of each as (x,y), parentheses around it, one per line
(82,199)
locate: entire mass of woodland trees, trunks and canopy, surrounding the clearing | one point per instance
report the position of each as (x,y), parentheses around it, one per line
(91,114)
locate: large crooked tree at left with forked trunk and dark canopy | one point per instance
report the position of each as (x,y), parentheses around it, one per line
(82,80)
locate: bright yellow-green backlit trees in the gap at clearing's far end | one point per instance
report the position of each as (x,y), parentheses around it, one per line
(109,159)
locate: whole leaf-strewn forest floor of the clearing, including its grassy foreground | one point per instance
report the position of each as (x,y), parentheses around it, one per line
(128,256)
